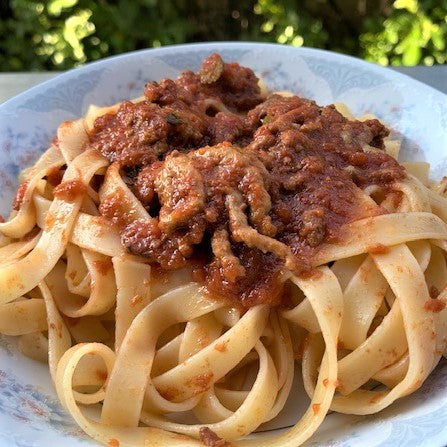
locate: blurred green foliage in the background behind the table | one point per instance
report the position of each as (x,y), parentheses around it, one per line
(60,34)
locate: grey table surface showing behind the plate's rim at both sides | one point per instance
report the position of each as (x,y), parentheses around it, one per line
(12,84)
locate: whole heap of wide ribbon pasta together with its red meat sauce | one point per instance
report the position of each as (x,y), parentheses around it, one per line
(190,251)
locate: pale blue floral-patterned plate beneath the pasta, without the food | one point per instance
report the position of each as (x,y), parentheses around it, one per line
(30,414)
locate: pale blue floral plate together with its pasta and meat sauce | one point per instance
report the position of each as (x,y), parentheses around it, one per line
(224,244)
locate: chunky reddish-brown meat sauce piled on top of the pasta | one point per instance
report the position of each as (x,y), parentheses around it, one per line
(249,184)
